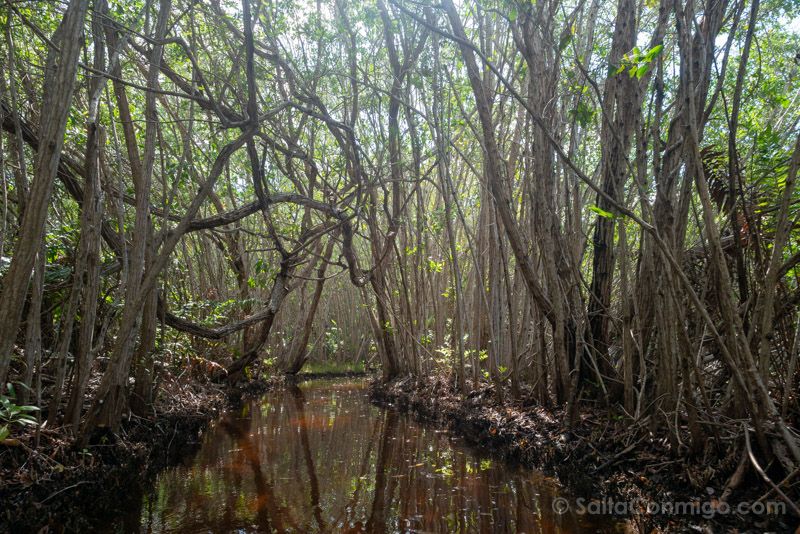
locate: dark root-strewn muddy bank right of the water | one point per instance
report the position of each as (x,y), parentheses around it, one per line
(593,459)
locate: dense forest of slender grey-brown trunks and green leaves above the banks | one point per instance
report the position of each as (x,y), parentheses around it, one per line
(586,204)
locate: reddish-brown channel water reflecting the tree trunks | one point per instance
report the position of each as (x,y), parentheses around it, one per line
(321,458)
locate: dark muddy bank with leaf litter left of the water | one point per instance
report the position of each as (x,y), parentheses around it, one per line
(66,488)
